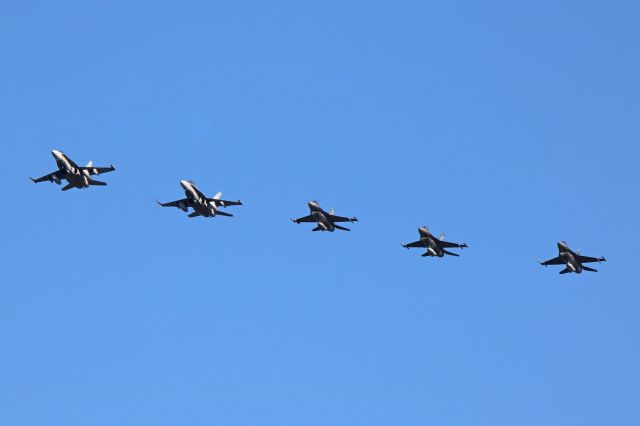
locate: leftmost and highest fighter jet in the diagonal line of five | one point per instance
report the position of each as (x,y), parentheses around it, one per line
(76,176)
